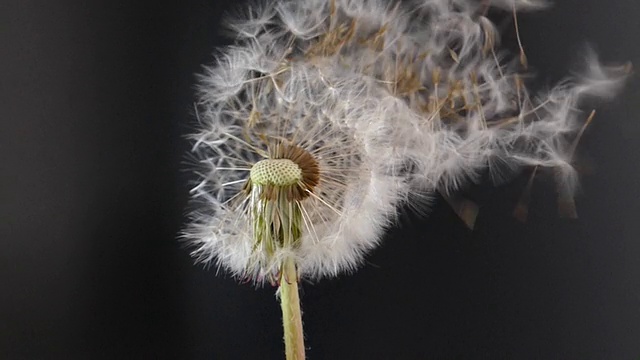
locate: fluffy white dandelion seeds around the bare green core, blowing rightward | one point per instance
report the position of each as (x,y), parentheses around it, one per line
(391,98)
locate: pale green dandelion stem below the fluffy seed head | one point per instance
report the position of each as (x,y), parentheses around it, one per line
(291,314)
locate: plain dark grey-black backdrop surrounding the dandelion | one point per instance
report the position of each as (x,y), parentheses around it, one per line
(95,98)
